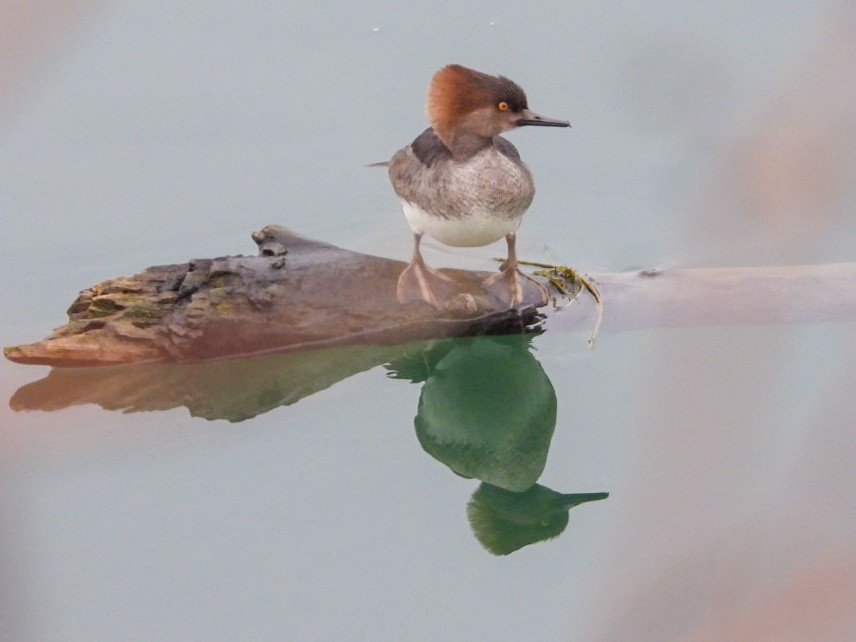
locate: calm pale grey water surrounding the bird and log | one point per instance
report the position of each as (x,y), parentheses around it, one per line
(704,134)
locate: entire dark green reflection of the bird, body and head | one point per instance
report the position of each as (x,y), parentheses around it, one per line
(487,410)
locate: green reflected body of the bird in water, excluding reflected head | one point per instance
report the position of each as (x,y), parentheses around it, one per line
(487,409)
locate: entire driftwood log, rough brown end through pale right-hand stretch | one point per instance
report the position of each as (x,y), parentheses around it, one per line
(300,294)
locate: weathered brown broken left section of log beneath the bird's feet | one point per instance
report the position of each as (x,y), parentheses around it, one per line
(297,294)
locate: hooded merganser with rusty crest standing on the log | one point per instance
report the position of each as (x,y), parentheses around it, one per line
(464,185)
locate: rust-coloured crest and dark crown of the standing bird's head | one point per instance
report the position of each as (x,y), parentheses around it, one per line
(456,91)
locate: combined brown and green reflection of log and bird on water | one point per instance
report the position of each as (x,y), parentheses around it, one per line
(487,410)
